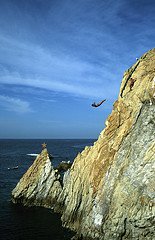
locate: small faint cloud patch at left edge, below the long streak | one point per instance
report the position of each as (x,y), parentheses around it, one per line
(14,104)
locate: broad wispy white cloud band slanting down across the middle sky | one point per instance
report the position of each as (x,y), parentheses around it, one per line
(37,67)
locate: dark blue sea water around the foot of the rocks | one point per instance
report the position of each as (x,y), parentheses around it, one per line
(22,223)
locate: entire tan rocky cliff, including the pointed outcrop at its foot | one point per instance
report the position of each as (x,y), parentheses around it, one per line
(109,192)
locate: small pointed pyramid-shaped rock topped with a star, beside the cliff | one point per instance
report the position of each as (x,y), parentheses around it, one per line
(40,185)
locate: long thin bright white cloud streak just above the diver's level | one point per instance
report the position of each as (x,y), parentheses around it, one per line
(75,89)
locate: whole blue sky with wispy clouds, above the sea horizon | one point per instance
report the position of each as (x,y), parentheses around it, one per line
(59,56)
